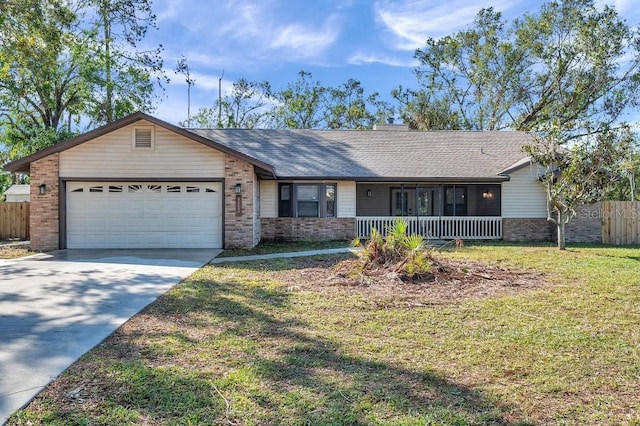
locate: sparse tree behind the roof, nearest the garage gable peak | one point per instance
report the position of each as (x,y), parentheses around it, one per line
(247,107)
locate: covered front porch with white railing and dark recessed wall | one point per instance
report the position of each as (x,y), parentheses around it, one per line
(434,210)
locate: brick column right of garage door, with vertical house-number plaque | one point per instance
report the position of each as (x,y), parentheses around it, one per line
(238,223)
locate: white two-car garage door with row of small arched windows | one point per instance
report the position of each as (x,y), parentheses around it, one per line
(144,215)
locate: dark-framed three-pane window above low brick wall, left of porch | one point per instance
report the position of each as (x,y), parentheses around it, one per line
(307,200)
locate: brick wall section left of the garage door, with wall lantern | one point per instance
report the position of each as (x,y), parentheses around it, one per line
(44,209)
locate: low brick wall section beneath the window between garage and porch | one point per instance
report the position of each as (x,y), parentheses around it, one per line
(309,229)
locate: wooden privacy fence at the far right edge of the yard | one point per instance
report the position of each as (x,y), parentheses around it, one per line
(620,222)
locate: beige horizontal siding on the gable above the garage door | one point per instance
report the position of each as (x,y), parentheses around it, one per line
(112,156)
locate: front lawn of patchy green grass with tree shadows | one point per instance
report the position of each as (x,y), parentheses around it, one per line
(286,342)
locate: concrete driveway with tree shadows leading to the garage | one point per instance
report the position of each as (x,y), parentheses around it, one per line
(55,307)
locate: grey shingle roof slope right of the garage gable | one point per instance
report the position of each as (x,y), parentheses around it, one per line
(375,154)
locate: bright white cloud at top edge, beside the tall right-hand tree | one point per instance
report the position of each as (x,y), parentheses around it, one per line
(413,21)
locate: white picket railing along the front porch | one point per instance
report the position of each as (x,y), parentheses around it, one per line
(437,227)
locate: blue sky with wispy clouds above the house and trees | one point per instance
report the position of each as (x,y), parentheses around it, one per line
(370,41)
